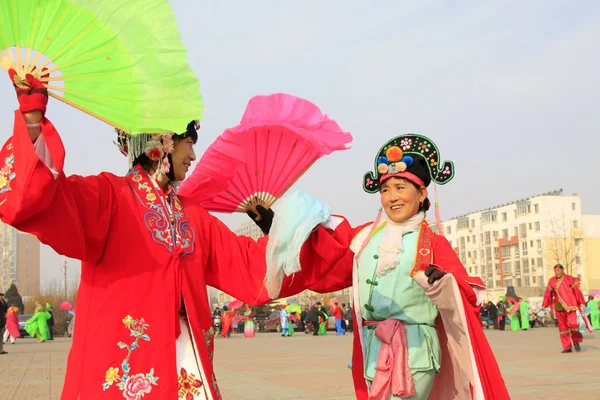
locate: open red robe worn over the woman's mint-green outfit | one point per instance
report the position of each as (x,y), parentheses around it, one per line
(327,260)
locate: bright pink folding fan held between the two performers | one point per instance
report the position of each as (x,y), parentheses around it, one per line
(280,137)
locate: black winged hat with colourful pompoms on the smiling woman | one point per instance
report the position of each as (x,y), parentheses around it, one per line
(400,154)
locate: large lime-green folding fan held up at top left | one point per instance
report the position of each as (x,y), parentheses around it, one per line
(120,61)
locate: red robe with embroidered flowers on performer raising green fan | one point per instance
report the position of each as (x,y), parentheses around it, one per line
(134,274)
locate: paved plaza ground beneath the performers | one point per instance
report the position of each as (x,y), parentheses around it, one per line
(306,367)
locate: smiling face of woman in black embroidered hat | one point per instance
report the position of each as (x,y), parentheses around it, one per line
(400,199)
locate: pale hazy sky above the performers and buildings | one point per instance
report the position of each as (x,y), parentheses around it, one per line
(508,90)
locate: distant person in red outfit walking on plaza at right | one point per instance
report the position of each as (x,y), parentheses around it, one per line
(564,295)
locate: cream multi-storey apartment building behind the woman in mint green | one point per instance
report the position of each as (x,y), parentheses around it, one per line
(518,243)
